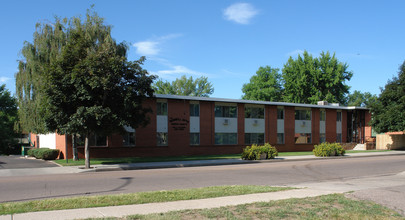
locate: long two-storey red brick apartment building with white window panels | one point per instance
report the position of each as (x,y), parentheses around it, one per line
(184,125)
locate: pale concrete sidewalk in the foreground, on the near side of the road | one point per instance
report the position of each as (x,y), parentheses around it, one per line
(310,190)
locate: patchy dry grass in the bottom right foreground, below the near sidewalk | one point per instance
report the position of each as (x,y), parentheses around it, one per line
(335,206)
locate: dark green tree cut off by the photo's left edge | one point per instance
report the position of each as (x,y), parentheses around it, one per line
(8,116)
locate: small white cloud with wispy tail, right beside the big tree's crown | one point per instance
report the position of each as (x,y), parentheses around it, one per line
(152,47)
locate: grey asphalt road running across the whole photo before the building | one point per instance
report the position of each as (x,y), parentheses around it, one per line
(277,173)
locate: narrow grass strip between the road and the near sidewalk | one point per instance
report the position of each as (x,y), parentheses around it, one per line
(133,198)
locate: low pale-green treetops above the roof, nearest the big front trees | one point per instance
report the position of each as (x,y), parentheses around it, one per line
(185,86)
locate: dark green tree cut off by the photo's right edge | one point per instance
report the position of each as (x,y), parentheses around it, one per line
(388,111)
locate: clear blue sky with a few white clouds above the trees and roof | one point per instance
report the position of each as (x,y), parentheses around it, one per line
(227,41)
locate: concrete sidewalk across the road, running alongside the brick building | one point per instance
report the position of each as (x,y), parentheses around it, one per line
(175,164)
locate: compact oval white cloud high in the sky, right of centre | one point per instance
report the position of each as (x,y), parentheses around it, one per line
(240,13)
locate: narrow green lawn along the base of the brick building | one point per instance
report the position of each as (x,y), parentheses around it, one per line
(183,158)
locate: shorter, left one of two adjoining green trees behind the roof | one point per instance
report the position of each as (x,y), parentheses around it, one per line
(264,86)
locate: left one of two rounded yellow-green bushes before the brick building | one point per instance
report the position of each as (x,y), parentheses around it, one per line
(254,152)
